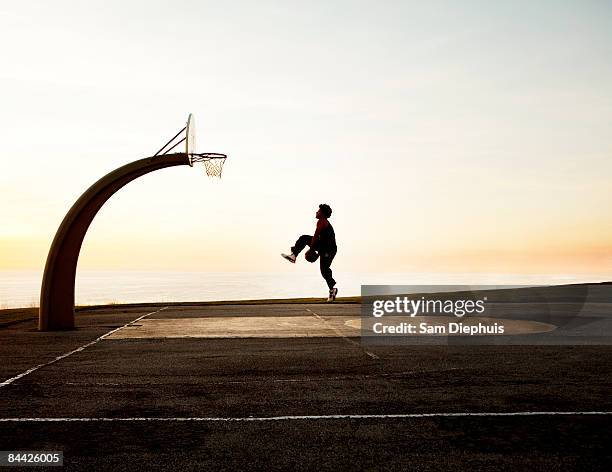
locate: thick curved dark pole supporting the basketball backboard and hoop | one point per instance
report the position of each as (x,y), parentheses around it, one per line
(57,291)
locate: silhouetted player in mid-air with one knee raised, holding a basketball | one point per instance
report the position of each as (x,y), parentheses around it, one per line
(322,244)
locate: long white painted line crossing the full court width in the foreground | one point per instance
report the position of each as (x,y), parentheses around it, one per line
(245,419)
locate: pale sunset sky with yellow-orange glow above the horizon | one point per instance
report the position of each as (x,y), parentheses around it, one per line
(446,136)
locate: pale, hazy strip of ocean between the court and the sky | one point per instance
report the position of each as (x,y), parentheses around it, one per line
(22,288)
